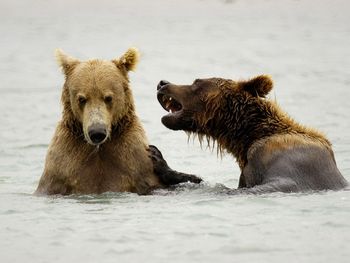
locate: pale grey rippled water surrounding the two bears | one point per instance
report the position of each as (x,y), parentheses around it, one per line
(303,45)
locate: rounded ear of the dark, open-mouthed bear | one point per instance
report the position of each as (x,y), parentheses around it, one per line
(259,86)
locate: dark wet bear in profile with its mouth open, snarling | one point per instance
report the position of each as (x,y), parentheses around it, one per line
(274,152)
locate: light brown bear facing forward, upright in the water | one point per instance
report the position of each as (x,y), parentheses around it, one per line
(99,145)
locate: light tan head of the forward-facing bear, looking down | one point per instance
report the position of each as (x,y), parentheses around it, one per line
(96,94)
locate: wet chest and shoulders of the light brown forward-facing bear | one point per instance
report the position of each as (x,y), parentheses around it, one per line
(119,165)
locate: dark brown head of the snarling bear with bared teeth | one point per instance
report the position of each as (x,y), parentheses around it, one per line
(209,101)
